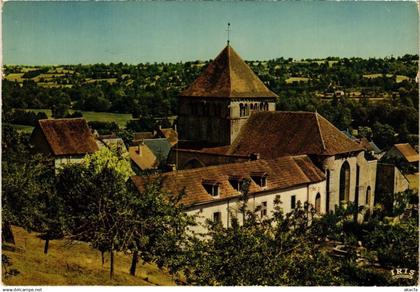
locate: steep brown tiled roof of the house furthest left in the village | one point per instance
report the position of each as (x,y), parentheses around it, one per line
(68,136)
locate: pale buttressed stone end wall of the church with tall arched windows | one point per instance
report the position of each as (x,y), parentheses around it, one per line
(367,179)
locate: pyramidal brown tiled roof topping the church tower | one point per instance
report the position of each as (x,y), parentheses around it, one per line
(228,76)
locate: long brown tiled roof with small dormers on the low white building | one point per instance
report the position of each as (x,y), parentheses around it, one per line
(282,173)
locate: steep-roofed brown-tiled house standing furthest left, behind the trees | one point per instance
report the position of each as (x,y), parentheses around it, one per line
(66,140)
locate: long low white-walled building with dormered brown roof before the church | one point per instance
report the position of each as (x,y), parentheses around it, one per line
(213,192)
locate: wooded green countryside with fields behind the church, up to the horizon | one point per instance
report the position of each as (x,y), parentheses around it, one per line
(378,96)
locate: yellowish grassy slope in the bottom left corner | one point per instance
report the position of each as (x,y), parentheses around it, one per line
(76,264)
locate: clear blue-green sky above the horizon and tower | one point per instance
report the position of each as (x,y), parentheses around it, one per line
(134,32)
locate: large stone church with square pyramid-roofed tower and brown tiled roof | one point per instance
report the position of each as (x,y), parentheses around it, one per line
(228,115)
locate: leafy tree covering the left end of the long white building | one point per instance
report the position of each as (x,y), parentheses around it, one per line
(161,232)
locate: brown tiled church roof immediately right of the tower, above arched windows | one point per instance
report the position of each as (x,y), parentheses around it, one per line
(275,134)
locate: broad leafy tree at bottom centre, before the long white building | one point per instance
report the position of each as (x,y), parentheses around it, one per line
(275,251)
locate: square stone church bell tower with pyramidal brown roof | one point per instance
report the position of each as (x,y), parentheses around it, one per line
(217,104)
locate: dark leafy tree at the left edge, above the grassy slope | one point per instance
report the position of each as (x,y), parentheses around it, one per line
(25,189)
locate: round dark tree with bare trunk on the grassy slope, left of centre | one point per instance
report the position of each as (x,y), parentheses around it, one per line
(98,207)
